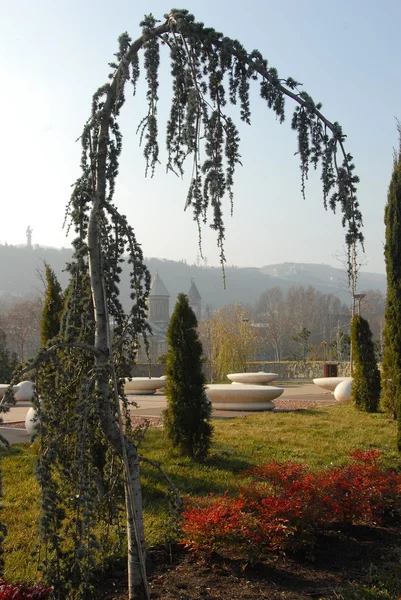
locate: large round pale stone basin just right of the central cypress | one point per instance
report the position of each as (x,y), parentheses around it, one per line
(242,397)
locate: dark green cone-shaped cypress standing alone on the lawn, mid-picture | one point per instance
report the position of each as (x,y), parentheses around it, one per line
(188,407)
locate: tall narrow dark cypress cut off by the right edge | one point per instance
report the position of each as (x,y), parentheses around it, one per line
(391,374)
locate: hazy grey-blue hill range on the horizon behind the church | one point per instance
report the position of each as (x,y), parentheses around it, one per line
(19,268)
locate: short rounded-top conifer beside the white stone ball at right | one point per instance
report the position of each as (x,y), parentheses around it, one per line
(366,384)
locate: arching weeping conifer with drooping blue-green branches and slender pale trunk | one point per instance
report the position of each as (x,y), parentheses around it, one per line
(208,71)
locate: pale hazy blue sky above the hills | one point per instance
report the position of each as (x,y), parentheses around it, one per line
(54,55)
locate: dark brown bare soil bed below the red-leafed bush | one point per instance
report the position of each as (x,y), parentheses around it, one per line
(338,558)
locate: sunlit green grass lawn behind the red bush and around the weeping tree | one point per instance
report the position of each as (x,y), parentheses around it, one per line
(318,437)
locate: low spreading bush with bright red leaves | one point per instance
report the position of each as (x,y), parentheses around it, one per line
(284,506)
